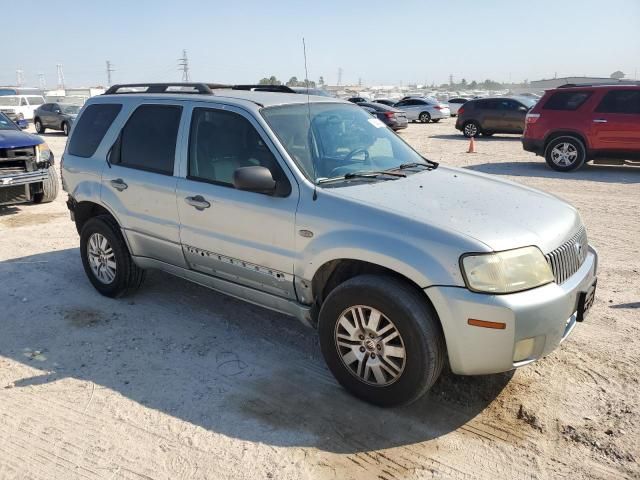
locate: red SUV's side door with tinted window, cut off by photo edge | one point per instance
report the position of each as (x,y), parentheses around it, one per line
(615,123)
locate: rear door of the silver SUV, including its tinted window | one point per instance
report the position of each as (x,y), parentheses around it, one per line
(140,185)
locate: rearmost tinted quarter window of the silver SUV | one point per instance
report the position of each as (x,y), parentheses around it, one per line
(89,131)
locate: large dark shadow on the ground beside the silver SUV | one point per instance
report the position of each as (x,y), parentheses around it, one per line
(207,359)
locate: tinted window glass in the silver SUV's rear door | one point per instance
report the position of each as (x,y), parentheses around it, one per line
(148,140)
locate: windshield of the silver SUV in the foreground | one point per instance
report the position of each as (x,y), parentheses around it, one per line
(329,140)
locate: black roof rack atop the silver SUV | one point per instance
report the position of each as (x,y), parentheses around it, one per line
(196,88)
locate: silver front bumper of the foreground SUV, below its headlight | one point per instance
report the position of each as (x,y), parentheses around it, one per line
(543,317)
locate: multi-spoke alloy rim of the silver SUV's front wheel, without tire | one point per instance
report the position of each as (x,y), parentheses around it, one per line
(370,345)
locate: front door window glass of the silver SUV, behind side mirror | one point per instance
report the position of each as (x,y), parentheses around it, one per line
(221,142)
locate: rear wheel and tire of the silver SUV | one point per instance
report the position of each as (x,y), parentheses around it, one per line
(106,258)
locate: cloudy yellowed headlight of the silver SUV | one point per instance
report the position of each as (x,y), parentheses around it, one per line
(506,272)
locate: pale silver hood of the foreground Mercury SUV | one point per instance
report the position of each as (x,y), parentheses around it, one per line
(498,213)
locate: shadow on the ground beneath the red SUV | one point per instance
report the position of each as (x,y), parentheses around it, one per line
(539,169)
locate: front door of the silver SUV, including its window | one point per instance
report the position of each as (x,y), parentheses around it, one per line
(240,236)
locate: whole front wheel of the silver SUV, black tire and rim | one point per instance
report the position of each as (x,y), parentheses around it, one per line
(381,339)
